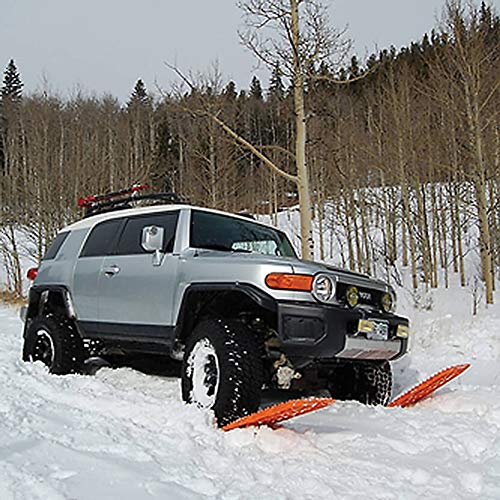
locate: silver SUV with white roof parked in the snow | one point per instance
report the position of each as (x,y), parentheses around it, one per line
(222,293)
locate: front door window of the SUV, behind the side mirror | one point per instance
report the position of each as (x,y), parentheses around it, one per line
(130,240)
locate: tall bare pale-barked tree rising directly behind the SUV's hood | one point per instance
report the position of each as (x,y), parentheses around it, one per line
(296,35)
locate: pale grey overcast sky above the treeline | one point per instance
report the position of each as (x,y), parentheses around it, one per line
(104,46)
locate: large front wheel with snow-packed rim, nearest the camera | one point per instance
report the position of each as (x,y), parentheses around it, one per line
(222,369)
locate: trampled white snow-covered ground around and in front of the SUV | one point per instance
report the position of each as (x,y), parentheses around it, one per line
(125,435)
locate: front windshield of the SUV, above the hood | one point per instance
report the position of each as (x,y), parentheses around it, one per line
(228,234)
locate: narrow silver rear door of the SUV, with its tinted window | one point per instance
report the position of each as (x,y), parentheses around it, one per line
(99,242)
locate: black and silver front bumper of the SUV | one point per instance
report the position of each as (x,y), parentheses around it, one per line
(322,332)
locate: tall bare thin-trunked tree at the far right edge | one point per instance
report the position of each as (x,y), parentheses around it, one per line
(468,63)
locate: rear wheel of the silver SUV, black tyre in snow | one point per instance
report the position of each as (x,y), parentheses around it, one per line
(54,341)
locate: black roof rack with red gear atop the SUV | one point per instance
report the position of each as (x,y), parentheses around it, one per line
(123,199)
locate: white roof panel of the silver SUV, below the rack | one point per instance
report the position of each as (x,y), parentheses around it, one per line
(95,219)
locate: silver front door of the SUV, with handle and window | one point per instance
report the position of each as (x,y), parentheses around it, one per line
(135,289)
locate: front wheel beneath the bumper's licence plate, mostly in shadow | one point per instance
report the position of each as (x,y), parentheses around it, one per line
(369,382)
